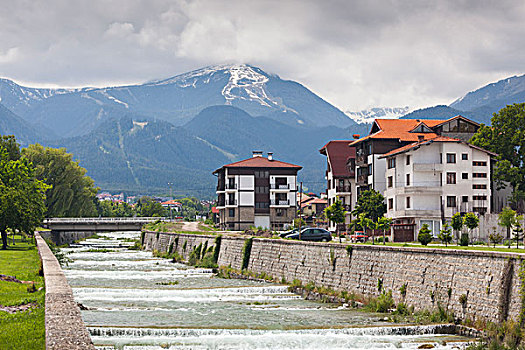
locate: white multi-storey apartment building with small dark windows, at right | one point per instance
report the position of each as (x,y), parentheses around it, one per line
(428,181)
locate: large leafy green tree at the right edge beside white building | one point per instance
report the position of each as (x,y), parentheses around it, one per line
(506,137)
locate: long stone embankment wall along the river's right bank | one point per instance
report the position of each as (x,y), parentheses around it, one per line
(474,284)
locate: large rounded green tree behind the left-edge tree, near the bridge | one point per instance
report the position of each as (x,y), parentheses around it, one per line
(72,193)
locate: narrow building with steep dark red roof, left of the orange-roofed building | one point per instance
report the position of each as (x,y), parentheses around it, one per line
(340,177)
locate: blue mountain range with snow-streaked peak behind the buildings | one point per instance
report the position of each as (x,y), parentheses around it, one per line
(138,138)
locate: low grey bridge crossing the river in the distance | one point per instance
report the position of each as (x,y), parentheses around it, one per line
(67,230)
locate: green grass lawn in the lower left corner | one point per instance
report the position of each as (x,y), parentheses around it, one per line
(21,330)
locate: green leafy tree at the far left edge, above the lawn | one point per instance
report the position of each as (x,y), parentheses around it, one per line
(22,195)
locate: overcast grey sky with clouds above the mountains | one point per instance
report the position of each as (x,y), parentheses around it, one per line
(354,54)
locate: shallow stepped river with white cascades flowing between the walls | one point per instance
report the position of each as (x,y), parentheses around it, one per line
(132,300)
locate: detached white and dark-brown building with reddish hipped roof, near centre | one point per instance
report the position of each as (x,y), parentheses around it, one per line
(258,191)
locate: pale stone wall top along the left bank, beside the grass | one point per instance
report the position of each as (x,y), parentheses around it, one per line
(65,329)
